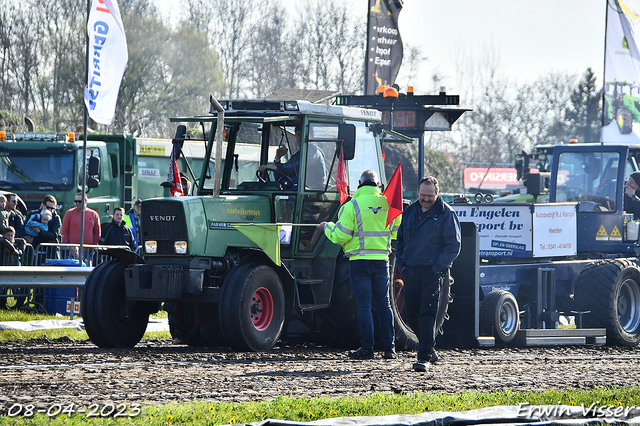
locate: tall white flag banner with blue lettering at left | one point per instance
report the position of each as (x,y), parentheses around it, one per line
(108,57)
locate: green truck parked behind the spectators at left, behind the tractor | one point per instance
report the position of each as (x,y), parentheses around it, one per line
(120,168)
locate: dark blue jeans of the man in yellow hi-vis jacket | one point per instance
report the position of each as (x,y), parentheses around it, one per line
(370,285)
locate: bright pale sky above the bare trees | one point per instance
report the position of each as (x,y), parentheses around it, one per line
(529,38)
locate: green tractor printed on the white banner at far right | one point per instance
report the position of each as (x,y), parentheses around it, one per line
(621,105)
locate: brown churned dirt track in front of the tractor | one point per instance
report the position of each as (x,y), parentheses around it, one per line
(63,371)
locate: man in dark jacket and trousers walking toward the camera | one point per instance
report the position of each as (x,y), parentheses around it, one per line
(428,243)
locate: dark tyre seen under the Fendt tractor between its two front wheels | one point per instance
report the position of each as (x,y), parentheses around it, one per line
(195,324)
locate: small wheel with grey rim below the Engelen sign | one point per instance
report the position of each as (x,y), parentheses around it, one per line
(499,312)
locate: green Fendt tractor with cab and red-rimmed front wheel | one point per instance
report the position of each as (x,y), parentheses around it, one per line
(242,257)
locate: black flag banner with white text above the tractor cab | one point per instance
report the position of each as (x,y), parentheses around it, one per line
(384,45)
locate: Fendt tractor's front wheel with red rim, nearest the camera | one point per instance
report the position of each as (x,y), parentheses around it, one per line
(252,308)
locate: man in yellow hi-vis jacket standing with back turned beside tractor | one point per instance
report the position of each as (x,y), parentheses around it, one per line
(362,232)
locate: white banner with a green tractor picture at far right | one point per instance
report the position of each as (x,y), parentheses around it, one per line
(621,117)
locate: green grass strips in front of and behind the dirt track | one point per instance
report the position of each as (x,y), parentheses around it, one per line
(294,409)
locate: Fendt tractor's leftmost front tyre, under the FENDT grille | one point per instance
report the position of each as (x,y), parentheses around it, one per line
(110,319)
